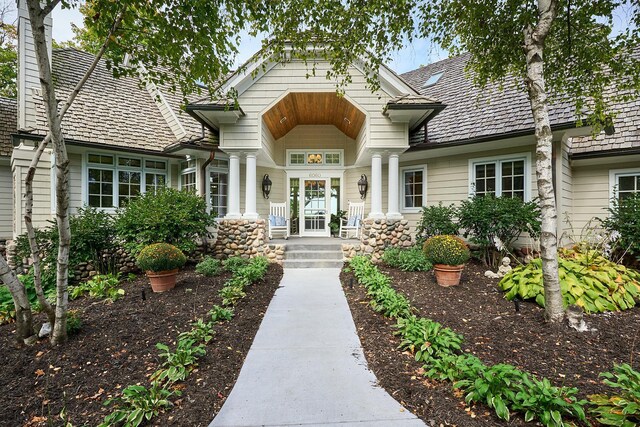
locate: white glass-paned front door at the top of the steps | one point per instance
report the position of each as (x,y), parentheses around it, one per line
(314,213)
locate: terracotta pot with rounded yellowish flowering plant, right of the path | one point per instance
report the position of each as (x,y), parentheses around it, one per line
(447,254)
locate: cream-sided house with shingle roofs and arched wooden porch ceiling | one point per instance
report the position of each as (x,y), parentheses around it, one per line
(424,137)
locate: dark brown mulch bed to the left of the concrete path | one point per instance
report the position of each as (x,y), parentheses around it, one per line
(116,348)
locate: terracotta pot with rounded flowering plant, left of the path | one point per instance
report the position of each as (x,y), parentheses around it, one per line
(161,262)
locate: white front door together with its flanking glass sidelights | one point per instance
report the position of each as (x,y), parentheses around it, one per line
(313,199)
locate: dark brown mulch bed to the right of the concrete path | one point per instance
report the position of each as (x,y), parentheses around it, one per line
(494,332)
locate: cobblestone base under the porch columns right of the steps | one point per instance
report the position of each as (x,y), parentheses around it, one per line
(376,236)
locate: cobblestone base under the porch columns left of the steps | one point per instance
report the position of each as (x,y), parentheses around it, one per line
(247,239)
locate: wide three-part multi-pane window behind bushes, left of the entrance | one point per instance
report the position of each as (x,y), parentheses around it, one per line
(114,180)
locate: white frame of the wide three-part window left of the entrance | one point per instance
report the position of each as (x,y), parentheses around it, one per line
(116,168)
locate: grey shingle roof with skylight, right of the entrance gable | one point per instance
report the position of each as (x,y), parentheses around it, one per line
(472,112)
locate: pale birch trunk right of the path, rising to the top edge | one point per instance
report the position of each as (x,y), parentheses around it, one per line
(534,39)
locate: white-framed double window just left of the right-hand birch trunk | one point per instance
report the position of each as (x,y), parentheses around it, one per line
(500,178)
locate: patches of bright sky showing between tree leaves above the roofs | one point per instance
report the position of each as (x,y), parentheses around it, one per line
(411,57)
